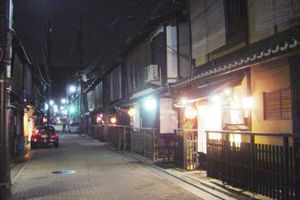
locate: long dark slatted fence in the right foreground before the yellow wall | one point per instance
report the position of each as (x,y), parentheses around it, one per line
(270,170)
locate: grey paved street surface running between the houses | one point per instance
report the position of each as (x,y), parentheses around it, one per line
(100,173)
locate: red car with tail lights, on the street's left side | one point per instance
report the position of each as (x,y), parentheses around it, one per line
(44,135)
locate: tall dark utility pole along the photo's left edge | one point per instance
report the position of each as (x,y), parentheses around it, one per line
(5,70)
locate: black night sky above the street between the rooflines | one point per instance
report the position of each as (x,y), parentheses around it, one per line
(106,25)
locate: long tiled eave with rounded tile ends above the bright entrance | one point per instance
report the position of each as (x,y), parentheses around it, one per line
(275,46)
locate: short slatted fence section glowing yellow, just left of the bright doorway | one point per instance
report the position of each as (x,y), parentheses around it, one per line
(186,152)
